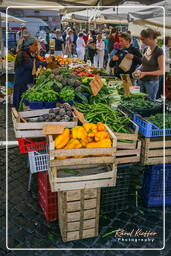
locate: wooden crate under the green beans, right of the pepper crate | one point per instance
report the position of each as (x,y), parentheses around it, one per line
(124,156)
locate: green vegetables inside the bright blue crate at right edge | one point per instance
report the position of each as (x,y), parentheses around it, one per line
(159,121)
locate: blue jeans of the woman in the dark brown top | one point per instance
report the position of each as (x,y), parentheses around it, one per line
(149,87)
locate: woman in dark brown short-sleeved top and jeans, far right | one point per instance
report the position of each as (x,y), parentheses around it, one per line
(152,63)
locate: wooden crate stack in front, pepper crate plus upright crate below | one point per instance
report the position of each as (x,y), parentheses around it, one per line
(79,194)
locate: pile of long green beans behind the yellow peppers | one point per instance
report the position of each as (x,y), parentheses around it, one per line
(103,113)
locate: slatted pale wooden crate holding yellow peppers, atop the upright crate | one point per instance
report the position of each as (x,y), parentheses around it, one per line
(94,171)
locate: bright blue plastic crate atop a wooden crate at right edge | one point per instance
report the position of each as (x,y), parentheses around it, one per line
(149,129)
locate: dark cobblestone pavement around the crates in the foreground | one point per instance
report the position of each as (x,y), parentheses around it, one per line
(27,227)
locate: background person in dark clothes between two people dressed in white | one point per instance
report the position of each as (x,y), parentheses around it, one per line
(91,45)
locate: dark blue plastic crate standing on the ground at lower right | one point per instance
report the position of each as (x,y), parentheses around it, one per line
(152,189)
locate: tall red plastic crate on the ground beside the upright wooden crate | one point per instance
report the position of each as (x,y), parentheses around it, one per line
(47,199)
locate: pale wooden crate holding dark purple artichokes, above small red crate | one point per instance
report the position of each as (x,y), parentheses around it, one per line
(34,129)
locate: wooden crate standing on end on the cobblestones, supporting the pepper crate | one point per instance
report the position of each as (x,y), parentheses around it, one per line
(79,213)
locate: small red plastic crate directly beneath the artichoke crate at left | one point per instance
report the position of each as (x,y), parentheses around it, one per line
(30,144)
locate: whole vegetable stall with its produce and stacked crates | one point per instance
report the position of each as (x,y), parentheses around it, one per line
(79,126)
